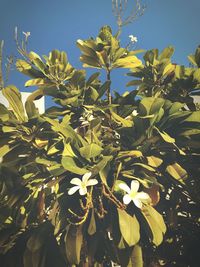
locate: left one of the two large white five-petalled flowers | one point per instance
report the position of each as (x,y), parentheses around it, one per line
(82,185)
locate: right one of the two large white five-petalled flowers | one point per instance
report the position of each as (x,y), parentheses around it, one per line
(133,195)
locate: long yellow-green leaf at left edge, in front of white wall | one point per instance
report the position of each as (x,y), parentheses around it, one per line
(13,96)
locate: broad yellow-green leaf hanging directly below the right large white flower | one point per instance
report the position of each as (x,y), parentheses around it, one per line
(129,227)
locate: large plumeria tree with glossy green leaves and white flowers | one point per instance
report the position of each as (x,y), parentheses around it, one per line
(85,183)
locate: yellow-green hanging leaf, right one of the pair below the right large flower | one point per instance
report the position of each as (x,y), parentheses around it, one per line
(156,223)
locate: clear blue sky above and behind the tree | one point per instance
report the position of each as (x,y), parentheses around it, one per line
(58,24)
